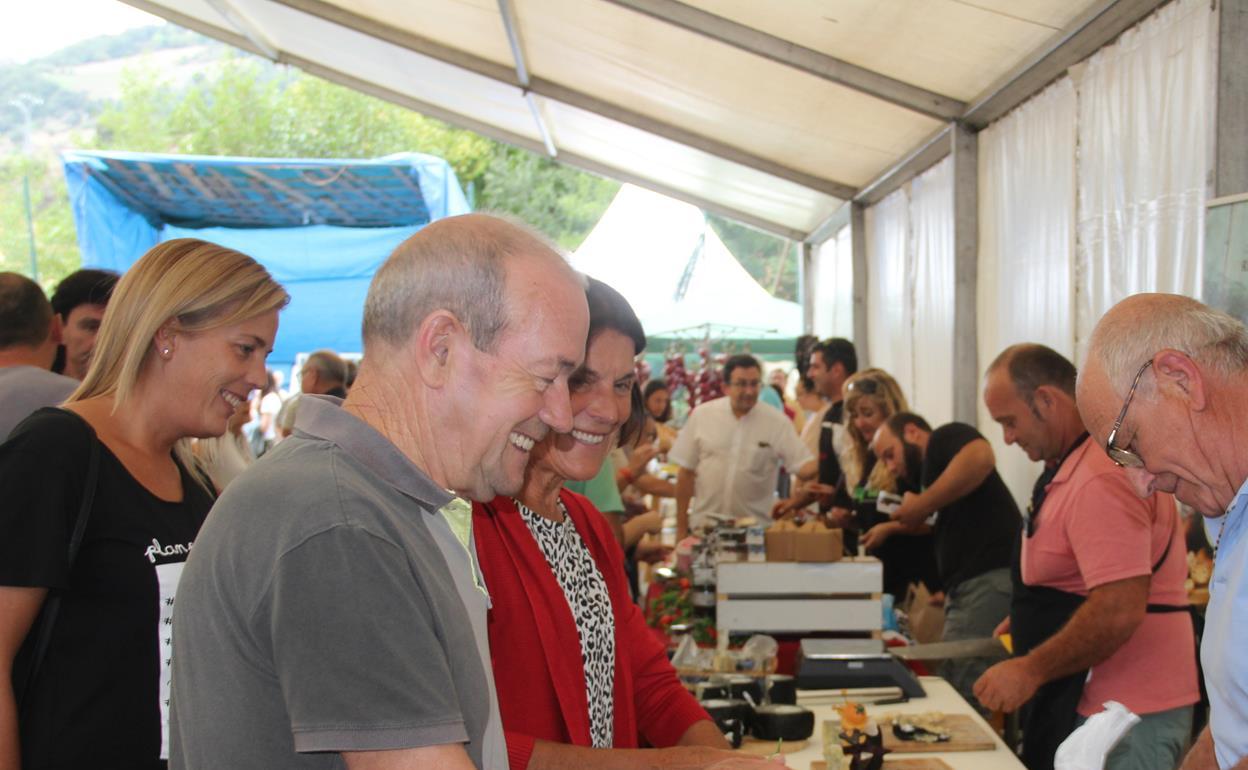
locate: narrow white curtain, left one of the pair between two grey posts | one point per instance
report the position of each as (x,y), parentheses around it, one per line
(890,310)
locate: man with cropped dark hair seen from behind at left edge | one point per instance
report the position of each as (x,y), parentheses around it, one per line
(29,338)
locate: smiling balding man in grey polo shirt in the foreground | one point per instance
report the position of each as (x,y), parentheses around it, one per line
(334,606)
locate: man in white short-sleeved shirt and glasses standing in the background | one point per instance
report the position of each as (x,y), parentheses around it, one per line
(732,450)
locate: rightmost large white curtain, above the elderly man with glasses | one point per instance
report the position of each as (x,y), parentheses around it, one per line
(1146,108)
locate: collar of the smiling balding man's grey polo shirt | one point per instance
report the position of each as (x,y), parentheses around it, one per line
(323,417)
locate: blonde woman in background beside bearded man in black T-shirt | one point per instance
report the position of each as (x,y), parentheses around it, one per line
(908,553)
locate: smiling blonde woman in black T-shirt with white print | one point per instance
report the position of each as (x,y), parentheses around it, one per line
(88,635)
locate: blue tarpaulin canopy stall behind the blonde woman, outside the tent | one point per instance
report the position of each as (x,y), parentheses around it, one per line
(320,227)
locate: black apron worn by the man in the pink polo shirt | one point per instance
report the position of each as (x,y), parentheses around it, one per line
(1036,613)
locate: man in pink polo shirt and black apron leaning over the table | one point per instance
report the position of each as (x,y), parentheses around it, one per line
(1099,611)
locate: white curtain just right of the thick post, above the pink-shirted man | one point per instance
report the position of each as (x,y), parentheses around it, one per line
(1026,279)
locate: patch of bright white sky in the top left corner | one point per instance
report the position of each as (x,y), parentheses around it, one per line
(34,29)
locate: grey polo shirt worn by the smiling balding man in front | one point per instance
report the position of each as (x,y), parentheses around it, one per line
(331,603)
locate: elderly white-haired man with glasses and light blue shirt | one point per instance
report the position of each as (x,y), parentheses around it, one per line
(1165,392)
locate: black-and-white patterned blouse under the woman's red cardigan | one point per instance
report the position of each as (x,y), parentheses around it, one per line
(586,591)
